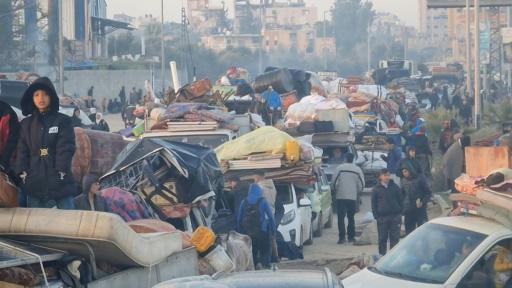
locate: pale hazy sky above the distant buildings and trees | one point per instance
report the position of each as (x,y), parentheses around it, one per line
(405,9)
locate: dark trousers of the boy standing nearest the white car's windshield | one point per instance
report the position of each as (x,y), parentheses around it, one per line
(388,228)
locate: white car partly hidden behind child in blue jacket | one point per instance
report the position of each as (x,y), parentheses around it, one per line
(295,225)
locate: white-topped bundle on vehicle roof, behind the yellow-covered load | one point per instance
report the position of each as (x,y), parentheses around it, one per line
(317,114)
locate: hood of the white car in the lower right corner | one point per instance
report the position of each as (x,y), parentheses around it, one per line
(368,279)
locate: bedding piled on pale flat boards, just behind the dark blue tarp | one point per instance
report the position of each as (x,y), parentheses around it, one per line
(180,117)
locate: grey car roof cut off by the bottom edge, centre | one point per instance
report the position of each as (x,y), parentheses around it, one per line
(260,279)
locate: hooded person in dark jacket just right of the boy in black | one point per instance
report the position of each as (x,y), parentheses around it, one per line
(416,196)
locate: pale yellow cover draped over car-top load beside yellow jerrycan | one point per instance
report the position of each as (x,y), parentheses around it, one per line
(262,140)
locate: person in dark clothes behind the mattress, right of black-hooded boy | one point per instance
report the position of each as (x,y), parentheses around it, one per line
(90,200)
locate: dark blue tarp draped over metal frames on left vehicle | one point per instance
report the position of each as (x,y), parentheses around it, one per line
(198,165)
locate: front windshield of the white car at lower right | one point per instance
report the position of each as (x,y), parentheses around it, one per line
(430,254)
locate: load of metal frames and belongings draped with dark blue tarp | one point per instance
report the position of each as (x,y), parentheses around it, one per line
(166,174)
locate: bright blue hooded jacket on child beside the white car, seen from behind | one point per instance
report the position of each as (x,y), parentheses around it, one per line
(266,217)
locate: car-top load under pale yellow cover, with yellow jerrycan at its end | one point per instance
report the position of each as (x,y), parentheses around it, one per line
(265,147)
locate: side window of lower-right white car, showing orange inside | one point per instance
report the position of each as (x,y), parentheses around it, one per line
(493,269)
